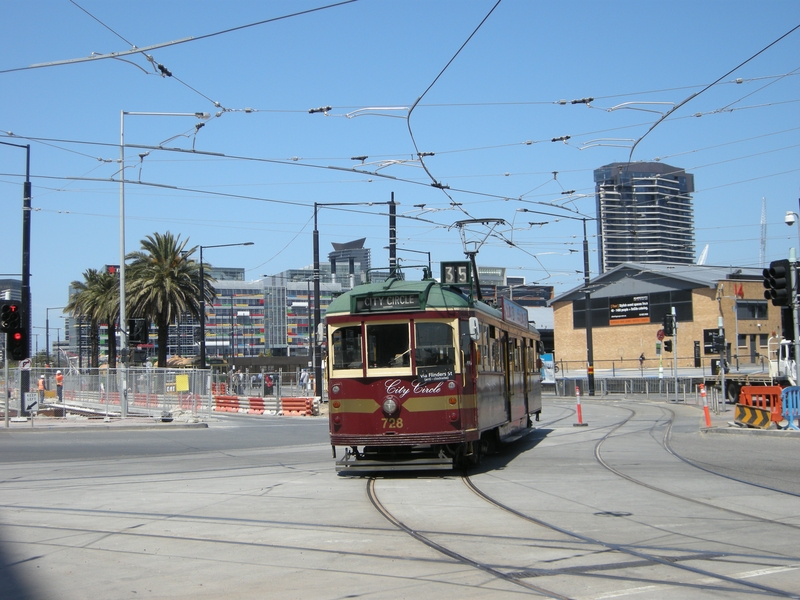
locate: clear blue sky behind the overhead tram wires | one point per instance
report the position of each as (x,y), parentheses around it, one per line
(488,119)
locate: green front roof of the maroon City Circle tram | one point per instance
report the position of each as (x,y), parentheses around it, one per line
(429,292)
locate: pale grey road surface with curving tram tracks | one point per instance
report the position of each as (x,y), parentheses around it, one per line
(640,503)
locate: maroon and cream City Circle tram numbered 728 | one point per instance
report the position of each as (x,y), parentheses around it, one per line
(421,375)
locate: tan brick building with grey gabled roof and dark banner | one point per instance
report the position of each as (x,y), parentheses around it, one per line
(629,302)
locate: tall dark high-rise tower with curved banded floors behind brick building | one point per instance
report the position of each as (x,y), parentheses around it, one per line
(644,214)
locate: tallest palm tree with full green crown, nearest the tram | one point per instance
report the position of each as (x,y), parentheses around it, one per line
(164,283)
